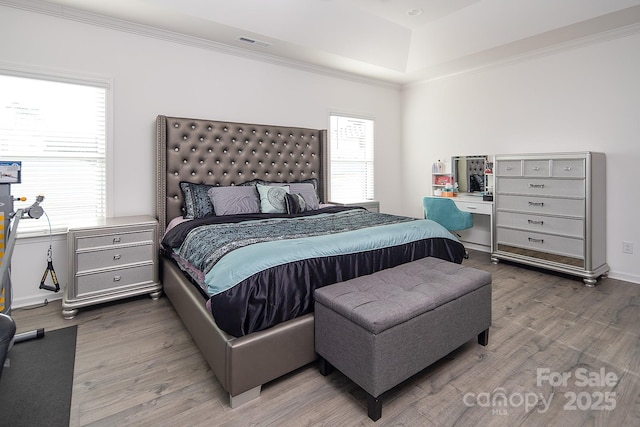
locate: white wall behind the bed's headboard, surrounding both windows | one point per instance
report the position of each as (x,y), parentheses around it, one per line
(150,77)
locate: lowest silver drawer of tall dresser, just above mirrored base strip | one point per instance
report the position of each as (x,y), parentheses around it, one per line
(566,246)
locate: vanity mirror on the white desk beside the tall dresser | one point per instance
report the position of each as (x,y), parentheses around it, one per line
(469,173)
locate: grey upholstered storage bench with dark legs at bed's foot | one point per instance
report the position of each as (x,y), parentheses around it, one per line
(381,329)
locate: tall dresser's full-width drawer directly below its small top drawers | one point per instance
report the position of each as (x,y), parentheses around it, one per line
(542,187)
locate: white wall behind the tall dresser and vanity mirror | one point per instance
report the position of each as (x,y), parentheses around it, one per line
(582,99)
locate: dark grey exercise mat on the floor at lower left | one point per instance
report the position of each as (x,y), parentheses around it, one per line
(35,389)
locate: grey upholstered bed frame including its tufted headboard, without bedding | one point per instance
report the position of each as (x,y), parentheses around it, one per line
(227,153)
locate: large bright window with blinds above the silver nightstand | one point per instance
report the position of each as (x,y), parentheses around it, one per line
(57,129)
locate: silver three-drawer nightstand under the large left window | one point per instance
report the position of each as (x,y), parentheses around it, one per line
(109,259)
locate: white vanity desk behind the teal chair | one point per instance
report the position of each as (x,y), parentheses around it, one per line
(478,237)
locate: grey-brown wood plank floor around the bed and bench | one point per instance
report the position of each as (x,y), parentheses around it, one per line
(137,365)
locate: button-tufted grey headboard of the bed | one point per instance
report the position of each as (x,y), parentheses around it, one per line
(227,153)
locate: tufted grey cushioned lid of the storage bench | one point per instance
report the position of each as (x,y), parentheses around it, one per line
(389,297)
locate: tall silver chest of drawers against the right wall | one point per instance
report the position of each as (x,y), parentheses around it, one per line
(550,212)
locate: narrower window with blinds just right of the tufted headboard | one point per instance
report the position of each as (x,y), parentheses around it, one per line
(351,151)
